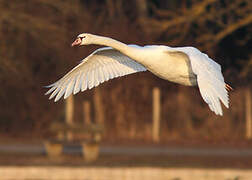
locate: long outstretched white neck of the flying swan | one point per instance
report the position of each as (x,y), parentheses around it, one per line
(123,48)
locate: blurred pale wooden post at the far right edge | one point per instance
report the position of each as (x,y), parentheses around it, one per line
(248,109)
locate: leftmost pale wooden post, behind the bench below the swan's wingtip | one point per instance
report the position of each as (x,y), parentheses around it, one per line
(69,114)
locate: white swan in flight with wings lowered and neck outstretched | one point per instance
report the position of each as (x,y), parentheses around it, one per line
(183,65)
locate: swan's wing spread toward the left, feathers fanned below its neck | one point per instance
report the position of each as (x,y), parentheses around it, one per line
(100,66)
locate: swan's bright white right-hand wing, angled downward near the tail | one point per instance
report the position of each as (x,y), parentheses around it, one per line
(210,80)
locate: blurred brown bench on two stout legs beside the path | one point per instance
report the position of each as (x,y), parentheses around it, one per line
(90,144)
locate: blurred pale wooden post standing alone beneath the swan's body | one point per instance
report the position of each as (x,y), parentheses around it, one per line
(156,115)
